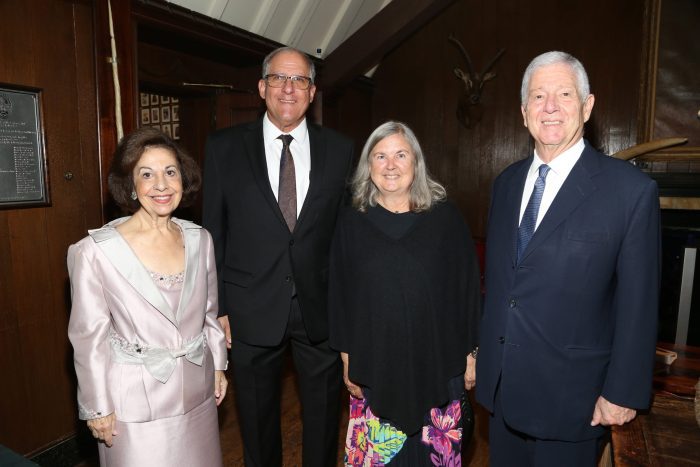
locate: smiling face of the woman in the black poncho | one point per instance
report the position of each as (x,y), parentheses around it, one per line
(392,165)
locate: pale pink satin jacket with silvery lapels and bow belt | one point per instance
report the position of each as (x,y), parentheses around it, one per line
(133,354)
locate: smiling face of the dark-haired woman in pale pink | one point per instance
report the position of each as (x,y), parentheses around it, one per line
(158,182)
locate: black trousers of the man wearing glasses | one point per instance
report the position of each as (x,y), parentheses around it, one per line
(257,374)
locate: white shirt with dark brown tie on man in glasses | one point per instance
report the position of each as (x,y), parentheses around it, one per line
(301,153)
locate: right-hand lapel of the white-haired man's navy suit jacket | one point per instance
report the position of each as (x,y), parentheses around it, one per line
(576,188)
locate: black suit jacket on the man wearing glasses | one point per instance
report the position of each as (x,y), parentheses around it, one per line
(258,260)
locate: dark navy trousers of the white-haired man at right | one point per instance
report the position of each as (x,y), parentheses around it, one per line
(511,448)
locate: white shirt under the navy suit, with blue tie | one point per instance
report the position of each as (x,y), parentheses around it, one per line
(559,169)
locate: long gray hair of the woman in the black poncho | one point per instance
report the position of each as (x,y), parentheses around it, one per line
(424,190)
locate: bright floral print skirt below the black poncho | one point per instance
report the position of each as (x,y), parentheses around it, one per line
(372,441)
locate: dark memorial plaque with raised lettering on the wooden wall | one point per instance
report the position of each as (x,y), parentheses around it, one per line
(22,155)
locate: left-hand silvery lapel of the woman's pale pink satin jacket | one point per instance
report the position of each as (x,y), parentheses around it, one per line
(122,257)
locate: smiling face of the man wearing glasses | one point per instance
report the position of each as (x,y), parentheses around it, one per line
(286,106)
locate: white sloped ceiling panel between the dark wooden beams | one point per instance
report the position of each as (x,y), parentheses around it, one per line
(315,26)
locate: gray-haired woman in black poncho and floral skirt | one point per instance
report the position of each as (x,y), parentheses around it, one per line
(403,308)
